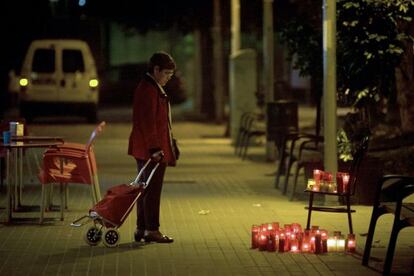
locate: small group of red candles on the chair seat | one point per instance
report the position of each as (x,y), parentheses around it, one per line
(323,182)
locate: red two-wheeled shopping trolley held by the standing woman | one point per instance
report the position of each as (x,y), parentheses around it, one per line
(110,212)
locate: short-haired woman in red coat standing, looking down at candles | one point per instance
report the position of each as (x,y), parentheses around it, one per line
(151,137)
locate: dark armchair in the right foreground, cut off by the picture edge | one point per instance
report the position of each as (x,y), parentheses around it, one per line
(389,199)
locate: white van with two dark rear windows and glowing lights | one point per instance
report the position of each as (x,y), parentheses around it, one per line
(59,77)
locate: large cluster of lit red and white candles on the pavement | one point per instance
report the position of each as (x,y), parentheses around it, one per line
(291,238)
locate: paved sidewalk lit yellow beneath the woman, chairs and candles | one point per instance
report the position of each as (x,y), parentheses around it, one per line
(209,203)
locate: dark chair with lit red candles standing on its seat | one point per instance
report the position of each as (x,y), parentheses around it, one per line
(345,195)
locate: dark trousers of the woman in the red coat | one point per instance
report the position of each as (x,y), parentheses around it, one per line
(148,204)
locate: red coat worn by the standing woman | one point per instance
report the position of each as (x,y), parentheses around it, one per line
(150,126)
